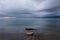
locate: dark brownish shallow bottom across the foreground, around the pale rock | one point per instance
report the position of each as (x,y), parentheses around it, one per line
(23,36)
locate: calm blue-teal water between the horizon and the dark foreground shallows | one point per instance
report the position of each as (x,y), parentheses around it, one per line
(18,24)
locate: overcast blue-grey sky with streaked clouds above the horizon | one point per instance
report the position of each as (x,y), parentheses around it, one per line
(29,8)
